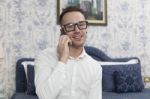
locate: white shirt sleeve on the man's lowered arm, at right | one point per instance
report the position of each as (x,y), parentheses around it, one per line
(96,87)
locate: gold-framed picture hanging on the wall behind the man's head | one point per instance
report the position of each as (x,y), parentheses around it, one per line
(95,10)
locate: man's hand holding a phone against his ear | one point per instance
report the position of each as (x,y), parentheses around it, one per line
(63,48)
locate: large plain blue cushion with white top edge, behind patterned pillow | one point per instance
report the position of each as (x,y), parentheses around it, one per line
(110,67)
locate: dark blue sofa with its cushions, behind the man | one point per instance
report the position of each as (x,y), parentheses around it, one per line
(112,81)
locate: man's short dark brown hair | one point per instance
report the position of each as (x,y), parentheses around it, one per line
(70,9)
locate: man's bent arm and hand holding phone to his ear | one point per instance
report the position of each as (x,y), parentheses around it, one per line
(50,70)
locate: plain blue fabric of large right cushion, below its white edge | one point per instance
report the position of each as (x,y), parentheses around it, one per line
(108,83)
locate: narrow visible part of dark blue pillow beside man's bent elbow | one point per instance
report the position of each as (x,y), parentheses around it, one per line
(30,82)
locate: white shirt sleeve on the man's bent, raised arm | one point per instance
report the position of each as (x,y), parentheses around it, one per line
(48,80)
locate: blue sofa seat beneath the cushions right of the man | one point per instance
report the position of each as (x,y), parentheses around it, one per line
(145,94)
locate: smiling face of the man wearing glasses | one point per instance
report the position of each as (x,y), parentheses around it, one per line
(74,26)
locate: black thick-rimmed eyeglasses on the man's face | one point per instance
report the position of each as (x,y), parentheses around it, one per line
(71,26)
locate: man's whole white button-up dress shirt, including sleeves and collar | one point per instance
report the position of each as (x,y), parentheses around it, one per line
(79,78)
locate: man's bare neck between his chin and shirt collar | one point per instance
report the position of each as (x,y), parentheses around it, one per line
(75,51)
